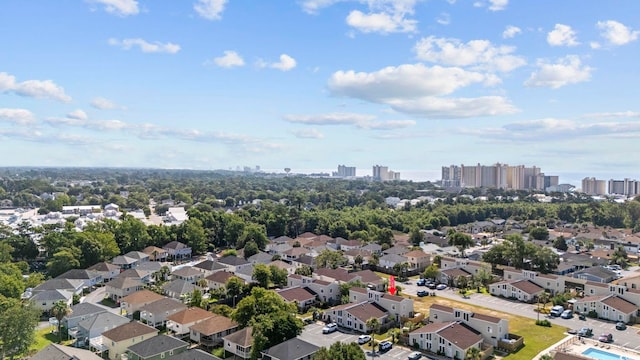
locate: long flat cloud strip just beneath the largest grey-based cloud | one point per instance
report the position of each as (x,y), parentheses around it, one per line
(444,108)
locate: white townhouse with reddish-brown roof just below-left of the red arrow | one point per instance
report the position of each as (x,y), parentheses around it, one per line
(354,315)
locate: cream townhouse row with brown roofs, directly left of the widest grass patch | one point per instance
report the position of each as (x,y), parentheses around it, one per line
(452,332)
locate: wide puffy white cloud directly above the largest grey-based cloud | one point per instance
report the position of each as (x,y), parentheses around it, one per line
(475,52)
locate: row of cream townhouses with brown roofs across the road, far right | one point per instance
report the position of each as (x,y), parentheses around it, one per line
(616,301)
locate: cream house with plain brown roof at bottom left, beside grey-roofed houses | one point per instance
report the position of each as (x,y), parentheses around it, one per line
(118,340)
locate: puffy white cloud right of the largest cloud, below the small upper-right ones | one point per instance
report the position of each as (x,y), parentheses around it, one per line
(568,70)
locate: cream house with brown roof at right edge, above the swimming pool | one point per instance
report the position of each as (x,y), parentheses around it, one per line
(609,307)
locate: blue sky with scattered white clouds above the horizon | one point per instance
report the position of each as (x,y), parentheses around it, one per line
(310,84)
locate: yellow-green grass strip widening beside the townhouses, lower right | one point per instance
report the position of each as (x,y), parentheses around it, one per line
(536,338)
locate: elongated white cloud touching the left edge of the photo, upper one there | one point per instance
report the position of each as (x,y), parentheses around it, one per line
(39,89)
